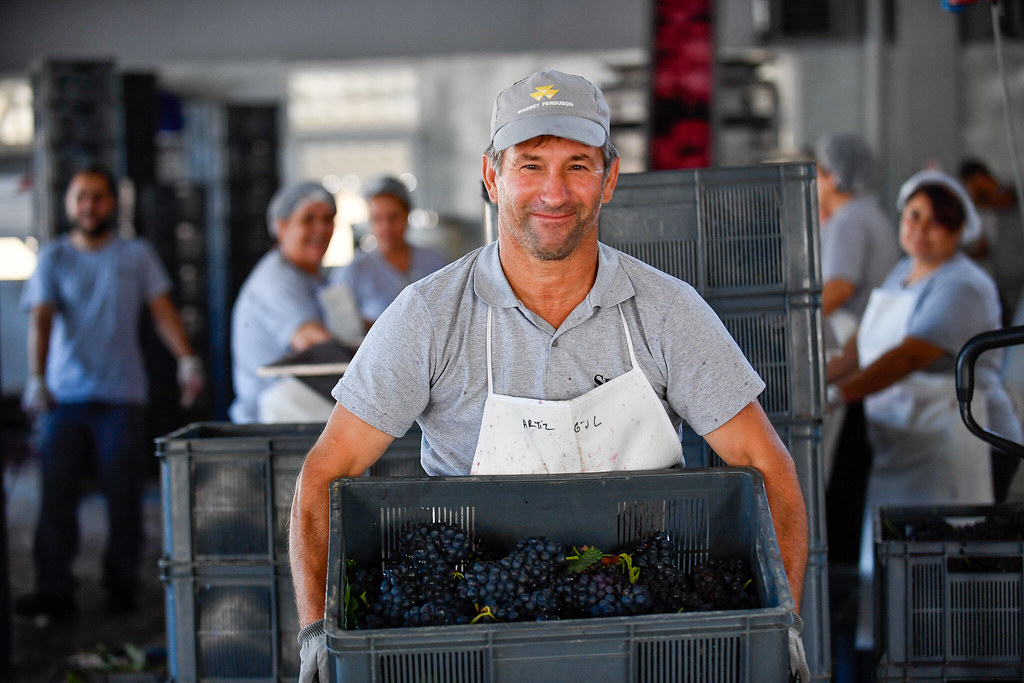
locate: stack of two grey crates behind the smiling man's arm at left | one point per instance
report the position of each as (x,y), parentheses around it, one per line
(227,492)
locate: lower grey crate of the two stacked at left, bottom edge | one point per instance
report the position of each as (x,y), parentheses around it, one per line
(231,623)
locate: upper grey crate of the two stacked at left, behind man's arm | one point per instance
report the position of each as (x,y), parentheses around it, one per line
(227,490)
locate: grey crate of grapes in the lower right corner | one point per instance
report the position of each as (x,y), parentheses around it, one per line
(950,603)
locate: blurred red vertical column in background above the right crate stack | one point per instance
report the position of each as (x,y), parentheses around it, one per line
(682,62)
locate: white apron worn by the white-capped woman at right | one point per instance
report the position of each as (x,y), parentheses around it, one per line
(923,453)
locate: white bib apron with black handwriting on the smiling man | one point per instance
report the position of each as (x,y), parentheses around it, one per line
(620,425)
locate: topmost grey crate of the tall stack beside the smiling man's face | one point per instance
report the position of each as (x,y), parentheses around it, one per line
(728,232)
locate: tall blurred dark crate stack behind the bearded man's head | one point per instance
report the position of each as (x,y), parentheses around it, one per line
(78,120)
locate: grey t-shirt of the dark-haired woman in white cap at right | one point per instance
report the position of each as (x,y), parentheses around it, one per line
(956,303)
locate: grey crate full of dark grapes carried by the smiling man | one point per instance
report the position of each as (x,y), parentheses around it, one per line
(616,577)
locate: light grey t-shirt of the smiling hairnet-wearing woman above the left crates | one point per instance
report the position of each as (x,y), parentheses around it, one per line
(276,301)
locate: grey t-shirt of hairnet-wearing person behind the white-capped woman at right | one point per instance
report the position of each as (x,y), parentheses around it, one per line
(859,245)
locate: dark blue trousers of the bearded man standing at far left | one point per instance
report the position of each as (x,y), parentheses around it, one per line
(76,441)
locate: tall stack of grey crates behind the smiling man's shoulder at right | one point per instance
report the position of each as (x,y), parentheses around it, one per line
(747,239)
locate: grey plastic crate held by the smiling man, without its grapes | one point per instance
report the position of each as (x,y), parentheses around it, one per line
(713,514)
